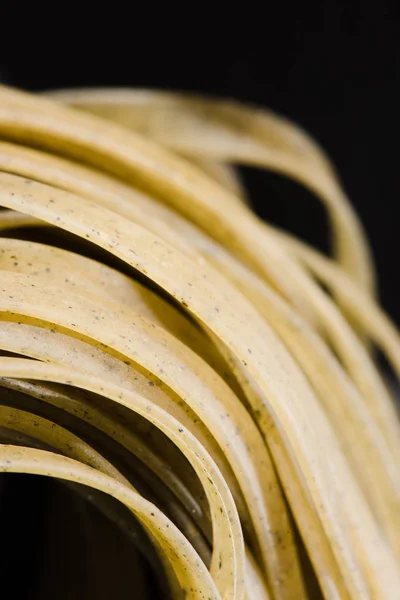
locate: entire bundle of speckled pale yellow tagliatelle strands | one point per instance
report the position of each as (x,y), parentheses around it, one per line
(208,377)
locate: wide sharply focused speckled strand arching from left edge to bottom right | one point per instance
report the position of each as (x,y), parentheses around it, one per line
(261,349)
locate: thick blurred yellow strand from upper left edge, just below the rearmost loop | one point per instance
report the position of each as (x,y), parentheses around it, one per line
(134,159)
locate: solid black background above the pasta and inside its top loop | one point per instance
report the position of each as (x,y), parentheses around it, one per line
(331,66)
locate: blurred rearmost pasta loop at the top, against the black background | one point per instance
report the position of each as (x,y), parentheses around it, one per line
(228,131)
